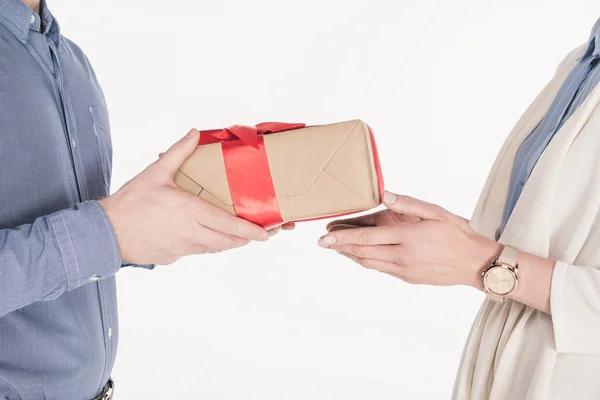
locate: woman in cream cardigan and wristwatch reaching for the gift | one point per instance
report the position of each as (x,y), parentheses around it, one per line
(537,335)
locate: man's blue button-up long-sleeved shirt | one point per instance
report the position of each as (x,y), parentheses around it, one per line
(58,251)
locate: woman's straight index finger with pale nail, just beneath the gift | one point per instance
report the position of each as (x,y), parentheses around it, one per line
(377,235)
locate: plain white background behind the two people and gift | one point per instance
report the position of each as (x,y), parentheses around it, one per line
(441,82)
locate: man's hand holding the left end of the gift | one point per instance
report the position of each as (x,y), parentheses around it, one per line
(157,223)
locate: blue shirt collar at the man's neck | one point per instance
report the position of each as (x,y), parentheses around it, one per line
(20,19)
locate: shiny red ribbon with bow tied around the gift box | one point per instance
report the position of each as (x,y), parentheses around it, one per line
(247,168)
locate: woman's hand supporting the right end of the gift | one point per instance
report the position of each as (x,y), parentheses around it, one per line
(422,244)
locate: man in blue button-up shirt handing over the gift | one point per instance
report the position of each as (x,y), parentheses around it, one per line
(61,238)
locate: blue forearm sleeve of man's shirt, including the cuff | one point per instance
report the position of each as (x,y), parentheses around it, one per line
(56,253)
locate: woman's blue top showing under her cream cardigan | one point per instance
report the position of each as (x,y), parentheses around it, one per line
(578,85)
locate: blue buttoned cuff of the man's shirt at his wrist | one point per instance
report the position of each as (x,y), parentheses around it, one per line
(87,243)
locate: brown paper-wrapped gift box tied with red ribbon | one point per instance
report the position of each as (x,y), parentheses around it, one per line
(278,172)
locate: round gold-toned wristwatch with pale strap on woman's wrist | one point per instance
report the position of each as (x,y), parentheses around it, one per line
(500,280)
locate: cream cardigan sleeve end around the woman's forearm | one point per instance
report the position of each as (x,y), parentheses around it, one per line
(575,306)
